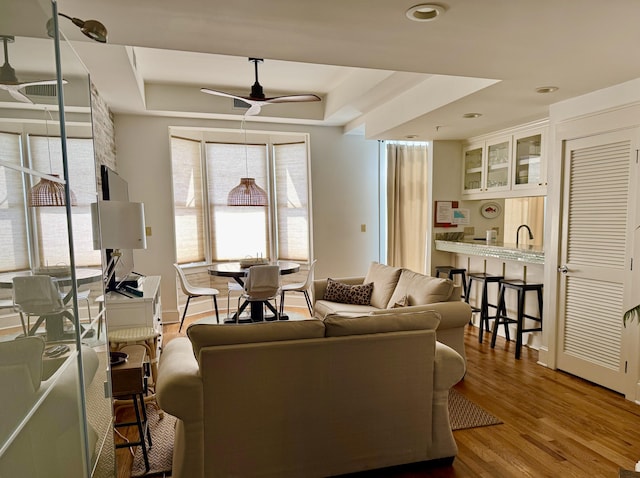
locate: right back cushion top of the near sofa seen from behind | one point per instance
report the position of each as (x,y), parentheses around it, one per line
(380,322)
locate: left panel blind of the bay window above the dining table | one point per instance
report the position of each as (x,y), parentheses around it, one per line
(187,197)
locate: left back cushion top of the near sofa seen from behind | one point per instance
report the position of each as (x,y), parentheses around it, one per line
(206,334)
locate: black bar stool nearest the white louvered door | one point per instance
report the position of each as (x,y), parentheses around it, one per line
(521,287)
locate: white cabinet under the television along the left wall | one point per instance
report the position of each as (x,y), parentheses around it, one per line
(127,311)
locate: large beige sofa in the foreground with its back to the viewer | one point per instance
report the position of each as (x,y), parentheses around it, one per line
(308,398)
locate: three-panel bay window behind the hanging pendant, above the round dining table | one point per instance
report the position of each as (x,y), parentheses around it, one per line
(204,171)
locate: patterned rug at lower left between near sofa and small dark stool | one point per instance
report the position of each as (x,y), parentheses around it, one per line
(161,453)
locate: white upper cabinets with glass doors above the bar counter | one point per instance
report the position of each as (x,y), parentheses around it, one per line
(505,166)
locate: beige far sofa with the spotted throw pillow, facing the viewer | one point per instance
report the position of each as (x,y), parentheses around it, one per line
(402,289)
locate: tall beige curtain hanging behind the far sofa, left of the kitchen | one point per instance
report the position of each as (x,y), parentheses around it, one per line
(407,205)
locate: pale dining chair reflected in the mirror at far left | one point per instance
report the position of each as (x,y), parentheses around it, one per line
(37,295)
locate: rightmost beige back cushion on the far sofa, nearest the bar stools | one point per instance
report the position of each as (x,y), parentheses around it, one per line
(421,289)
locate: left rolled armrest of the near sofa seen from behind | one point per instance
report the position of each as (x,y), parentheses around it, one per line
(179,388)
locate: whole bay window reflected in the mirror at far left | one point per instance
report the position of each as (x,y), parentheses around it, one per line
(38,236)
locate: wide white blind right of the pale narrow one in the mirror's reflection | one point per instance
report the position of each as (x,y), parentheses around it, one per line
(51,225)
